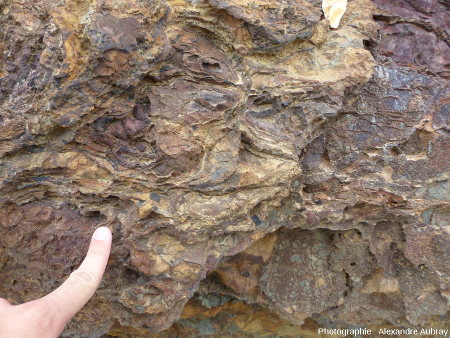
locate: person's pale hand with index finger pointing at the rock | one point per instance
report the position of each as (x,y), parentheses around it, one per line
(47,316)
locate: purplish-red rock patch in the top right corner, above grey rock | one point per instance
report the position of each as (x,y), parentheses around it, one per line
(416,34)
